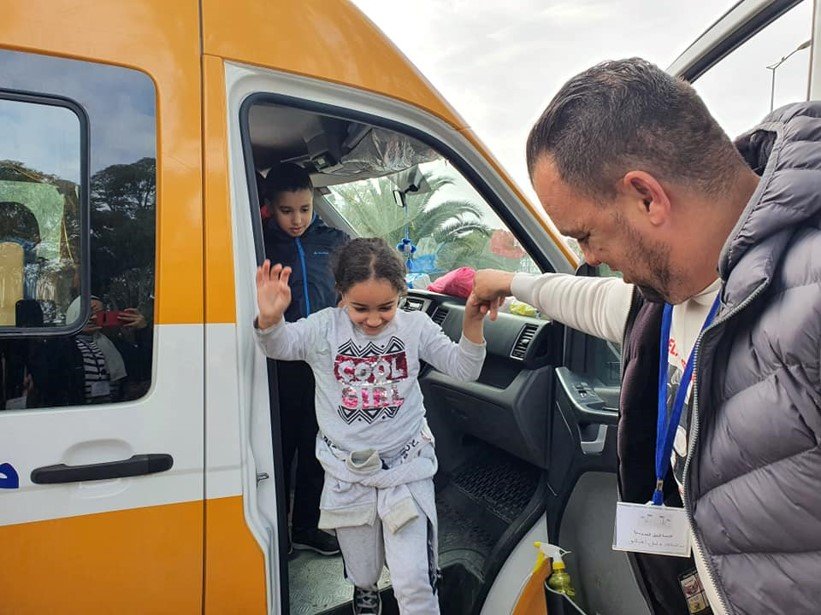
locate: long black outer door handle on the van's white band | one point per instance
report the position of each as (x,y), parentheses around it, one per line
(134,466)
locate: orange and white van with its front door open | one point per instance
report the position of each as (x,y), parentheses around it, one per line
(140,458)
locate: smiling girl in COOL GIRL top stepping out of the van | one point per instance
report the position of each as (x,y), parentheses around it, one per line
(373,440)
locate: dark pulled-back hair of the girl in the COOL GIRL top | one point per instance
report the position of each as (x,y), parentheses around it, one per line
(366,258)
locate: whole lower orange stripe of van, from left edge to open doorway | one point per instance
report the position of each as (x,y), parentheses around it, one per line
(143,560)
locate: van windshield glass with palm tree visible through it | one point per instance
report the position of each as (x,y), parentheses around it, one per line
(446,220)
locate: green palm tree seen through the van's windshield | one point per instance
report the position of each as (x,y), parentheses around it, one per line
(370,208)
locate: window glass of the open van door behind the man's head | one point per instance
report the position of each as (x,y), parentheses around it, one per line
(769,70)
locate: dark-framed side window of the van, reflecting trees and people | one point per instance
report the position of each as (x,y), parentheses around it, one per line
(45,179)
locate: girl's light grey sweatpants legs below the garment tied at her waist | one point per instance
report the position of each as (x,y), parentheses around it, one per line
(411,554)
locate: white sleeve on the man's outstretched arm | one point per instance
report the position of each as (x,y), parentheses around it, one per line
(596,306)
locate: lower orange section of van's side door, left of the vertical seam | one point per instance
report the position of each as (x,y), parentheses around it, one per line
(105,563)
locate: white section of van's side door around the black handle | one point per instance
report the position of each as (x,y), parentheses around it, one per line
(167,420)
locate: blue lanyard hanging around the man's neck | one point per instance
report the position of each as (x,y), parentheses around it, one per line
(666,430)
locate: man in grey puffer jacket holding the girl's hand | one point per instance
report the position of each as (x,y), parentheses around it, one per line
(628,160)
